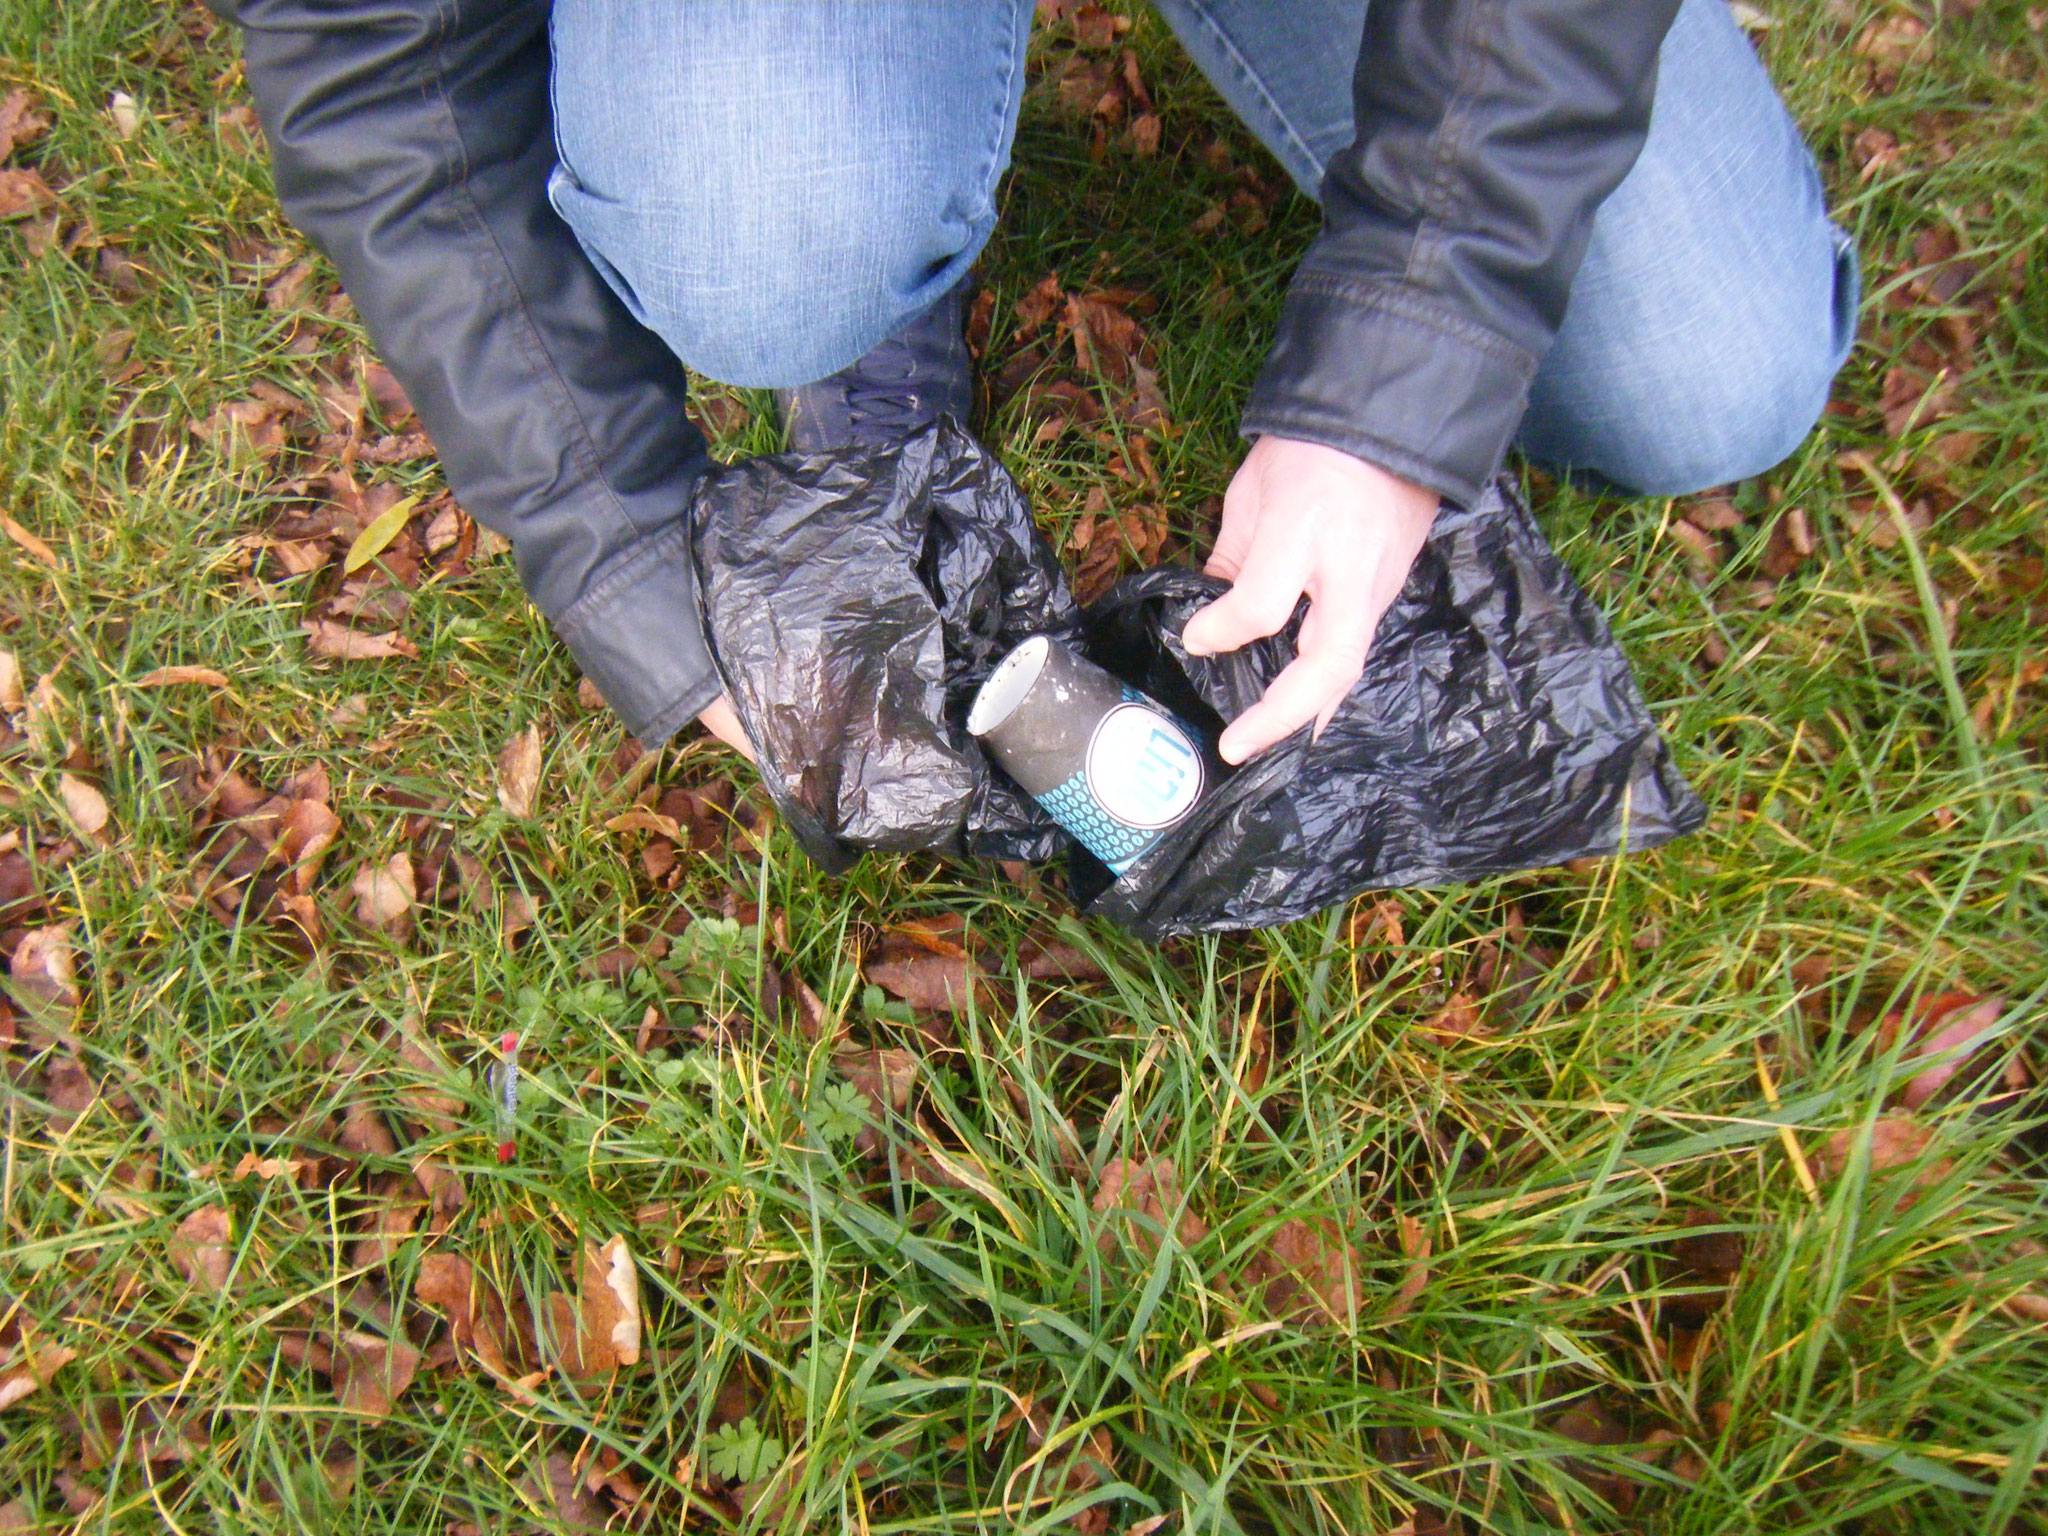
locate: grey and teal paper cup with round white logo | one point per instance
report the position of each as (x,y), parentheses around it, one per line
(1113,767)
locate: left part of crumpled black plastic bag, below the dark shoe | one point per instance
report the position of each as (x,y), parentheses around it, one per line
(853,605)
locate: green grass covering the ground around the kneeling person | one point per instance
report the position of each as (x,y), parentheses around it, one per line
(1521,1342)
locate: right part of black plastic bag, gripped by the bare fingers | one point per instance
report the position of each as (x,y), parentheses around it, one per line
(1496,728)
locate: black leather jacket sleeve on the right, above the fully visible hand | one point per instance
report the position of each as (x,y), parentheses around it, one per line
(1488,136)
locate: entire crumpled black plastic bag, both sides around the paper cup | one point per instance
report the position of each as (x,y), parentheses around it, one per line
(857,603)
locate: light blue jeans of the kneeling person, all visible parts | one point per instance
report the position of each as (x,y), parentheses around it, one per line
(777,185)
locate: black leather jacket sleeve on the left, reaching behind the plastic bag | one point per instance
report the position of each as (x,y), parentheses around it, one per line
(413,142)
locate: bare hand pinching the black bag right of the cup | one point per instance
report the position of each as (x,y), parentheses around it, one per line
(1306,519)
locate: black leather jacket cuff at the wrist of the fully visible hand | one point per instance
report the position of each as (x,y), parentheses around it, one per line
(1394,378)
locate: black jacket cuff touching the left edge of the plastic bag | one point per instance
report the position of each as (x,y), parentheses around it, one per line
(640,638)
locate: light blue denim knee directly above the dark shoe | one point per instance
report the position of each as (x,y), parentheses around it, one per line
(777,187)
